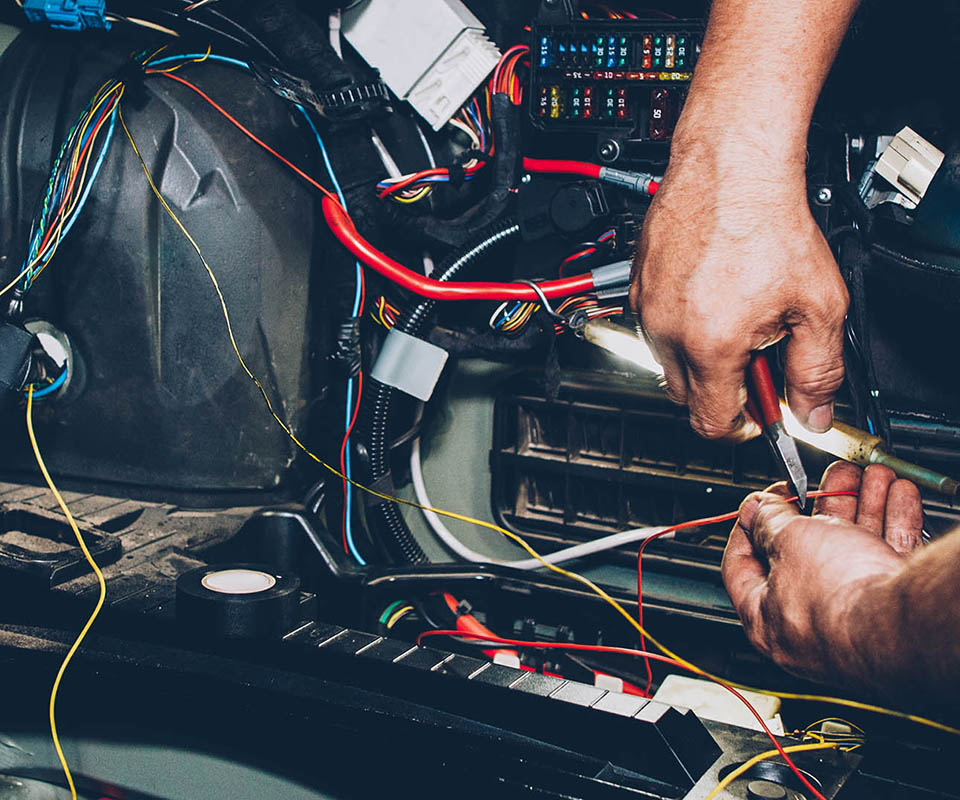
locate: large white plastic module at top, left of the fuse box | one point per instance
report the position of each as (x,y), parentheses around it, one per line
(431,53)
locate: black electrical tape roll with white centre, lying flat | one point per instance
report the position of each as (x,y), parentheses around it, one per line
(238,601)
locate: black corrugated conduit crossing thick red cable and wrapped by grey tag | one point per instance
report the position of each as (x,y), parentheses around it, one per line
(385,519)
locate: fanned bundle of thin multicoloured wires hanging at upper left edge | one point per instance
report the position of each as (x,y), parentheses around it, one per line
(73,174)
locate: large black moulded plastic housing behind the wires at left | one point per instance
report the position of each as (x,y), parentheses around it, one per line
(164,404)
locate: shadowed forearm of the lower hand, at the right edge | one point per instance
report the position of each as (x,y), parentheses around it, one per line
(904,631)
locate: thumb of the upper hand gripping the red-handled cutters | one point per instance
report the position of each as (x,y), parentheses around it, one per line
(814,368)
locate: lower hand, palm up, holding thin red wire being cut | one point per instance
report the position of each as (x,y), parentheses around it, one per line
(793,579)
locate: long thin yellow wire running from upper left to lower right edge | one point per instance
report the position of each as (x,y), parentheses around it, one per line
(489,525)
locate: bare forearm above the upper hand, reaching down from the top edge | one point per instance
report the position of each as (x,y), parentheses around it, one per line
(758,78)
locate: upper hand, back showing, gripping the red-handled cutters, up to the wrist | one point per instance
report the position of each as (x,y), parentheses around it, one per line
(729,261)
